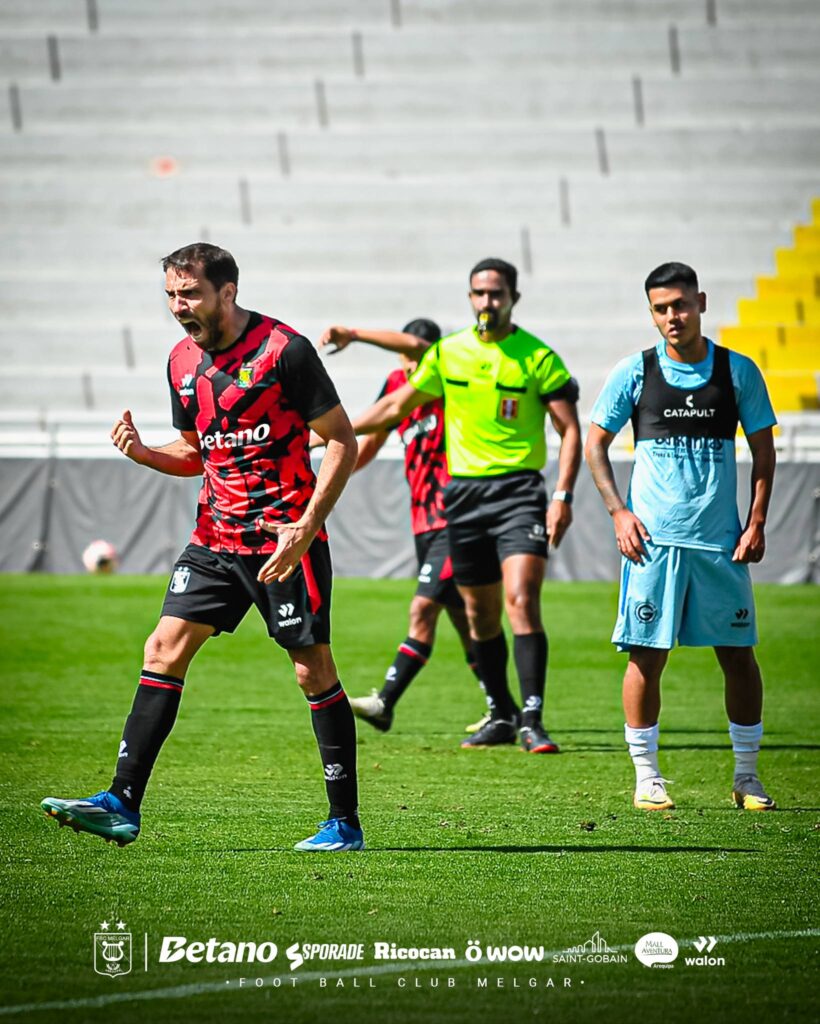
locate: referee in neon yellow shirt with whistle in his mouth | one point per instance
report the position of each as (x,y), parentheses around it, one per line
(498,382)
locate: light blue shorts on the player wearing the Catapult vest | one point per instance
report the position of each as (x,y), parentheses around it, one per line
(698,599)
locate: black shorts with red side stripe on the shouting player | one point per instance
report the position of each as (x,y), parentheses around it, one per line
(218,589)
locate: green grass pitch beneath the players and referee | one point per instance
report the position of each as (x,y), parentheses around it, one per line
(493,846)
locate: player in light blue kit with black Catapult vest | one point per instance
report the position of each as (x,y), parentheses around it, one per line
(685,574)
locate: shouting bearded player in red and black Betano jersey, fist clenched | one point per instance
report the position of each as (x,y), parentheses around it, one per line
(246,392)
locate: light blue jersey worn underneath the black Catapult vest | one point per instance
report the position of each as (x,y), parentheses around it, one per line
(684,490)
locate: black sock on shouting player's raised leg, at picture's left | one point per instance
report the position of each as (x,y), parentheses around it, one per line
(147,729)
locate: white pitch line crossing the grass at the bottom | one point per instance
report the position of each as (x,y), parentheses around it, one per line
(182,992)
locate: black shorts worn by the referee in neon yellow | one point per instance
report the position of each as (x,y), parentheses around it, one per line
(491,519)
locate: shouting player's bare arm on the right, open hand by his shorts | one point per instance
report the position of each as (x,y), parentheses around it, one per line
(340,457)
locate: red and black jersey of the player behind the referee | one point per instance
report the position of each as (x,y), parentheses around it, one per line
(422,435)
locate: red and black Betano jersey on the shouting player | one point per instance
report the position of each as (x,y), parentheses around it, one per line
(250,406)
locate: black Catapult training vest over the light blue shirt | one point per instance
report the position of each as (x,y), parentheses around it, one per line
(664,411)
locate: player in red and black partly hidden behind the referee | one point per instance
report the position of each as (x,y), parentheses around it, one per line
(422,435)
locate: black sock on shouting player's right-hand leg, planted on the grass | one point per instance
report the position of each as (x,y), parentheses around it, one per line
(335,731)
